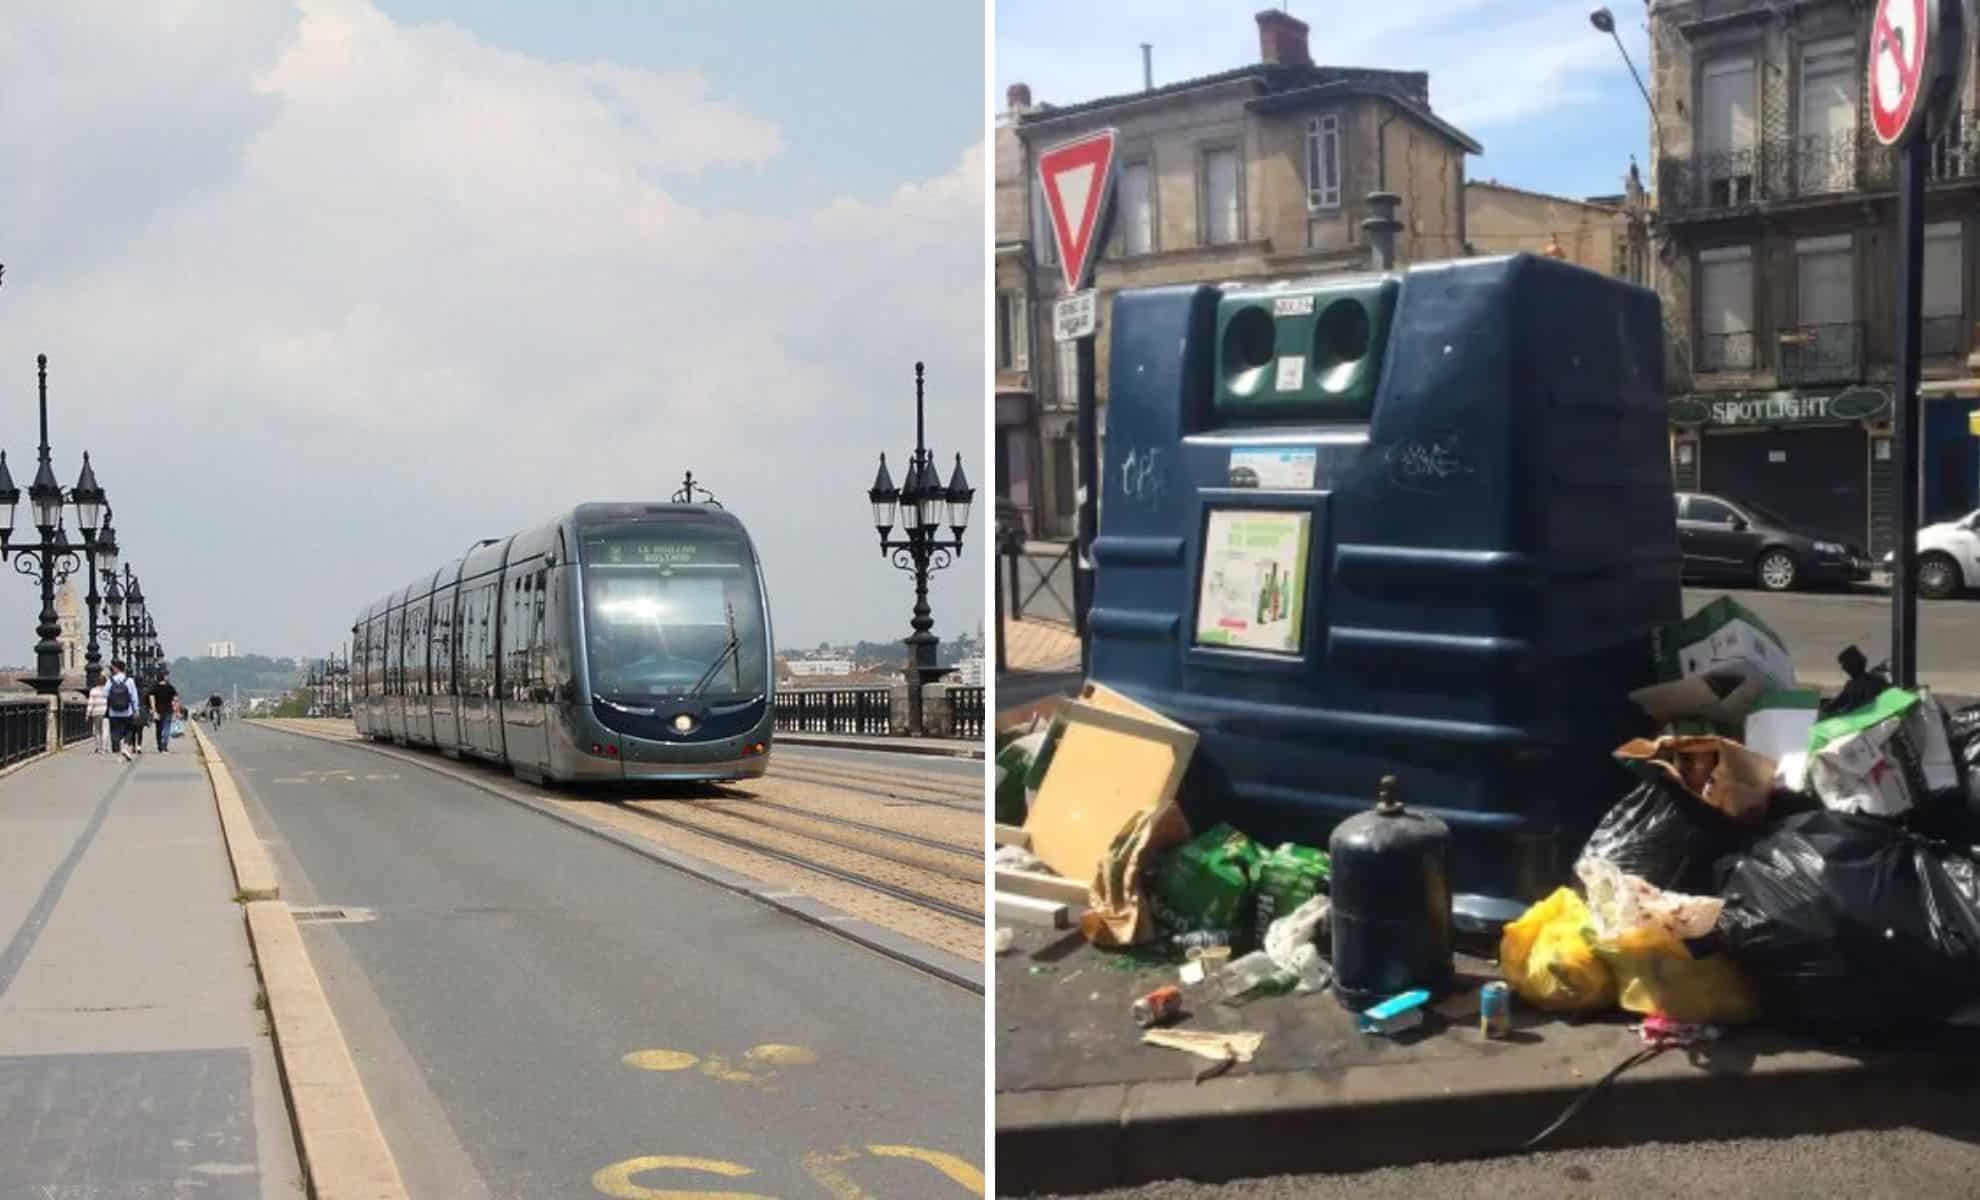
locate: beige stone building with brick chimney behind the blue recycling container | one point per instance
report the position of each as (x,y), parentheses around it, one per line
(1250,175)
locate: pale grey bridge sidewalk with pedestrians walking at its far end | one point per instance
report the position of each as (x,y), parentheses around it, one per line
(134,1060)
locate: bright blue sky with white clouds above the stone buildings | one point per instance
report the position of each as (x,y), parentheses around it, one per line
(1545,92)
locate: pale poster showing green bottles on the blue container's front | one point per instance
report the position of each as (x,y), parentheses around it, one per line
(1254,585)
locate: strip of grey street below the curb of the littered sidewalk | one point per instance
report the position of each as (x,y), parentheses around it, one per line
(1870,1165)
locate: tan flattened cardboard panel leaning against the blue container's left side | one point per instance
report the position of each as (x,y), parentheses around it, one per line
(1108,769)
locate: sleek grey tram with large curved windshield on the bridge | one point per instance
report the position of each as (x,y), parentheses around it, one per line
(615,643)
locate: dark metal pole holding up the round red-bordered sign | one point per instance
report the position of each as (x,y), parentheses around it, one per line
(1910,421)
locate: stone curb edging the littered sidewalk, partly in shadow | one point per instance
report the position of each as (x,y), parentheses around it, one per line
(1328,1122)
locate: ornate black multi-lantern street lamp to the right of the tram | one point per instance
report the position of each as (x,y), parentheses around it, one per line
(924,508)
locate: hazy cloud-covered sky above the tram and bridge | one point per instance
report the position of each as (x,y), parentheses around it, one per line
(336,288)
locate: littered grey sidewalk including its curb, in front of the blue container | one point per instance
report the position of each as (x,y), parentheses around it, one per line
(1082,1106)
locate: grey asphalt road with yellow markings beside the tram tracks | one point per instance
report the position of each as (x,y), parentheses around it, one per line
(540,1013)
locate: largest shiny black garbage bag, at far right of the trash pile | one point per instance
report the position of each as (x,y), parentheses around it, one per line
(1852,924)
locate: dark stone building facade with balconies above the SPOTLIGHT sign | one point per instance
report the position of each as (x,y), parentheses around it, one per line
(1779,268)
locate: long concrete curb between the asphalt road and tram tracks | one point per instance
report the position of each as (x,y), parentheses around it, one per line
(856,930)
